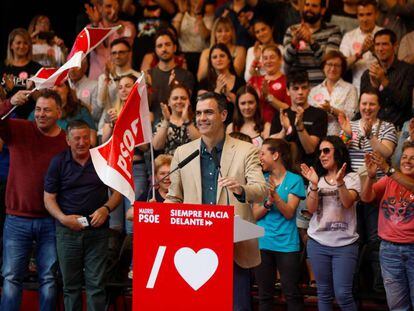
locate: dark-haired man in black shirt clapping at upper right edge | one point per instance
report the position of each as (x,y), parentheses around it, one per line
(393,79)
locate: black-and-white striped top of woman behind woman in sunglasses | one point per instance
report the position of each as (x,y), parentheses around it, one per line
(359,145)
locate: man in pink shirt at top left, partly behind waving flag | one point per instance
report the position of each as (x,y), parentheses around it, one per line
(106,14)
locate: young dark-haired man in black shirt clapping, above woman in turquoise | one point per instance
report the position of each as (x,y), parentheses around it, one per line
(301,124)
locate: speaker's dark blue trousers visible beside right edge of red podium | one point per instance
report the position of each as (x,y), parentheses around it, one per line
(241,289)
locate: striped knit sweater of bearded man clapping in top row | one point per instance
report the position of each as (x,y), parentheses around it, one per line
(305,57)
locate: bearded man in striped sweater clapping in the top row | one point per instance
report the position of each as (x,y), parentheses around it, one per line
(306,43)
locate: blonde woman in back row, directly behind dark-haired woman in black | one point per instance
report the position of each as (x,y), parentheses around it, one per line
(223,32)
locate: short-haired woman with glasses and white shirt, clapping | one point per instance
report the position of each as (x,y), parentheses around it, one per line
(334,95)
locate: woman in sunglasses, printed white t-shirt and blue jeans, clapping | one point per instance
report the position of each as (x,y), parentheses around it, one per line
(332,246)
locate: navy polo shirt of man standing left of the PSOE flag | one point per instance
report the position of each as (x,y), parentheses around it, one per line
(79,189)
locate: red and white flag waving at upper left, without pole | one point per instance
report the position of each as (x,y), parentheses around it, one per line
(85,42)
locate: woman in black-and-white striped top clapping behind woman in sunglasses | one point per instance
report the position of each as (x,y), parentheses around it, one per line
(369,134)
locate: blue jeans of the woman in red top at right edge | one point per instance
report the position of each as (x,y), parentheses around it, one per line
(397,265)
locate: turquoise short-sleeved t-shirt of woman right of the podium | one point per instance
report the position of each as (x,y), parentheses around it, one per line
(281,234)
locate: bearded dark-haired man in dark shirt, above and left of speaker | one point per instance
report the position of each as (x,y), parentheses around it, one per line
(166,72)
